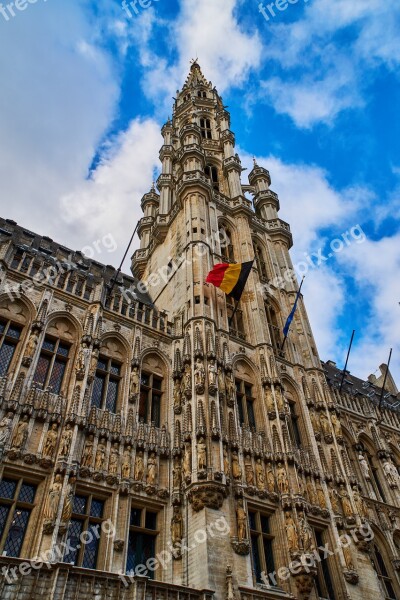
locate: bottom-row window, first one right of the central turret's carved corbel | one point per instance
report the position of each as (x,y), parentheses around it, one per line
(261,545)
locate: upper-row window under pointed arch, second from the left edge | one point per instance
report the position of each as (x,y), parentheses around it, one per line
(52,364)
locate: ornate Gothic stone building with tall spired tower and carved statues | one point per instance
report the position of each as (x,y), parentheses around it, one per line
(186,433)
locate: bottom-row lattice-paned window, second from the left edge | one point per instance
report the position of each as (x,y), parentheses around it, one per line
(85,524)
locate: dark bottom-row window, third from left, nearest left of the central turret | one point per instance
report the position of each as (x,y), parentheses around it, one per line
(142,539)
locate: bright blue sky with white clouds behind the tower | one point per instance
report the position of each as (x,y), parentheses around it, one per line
(313,93)
